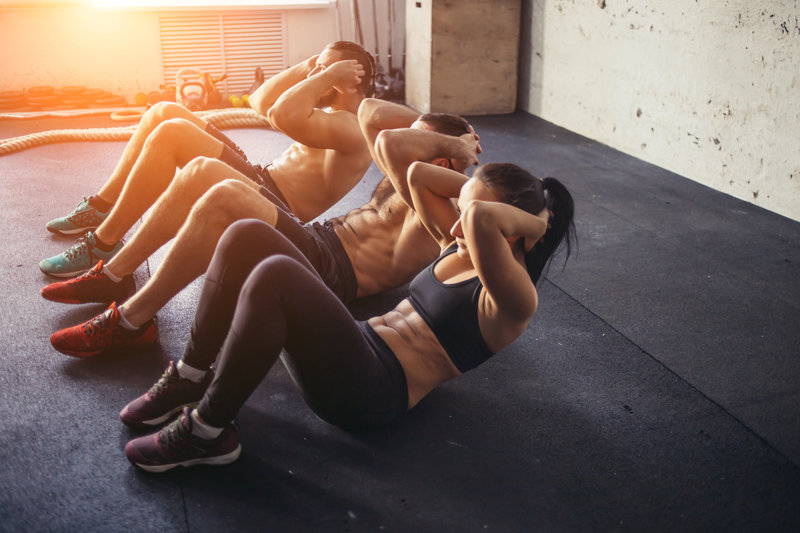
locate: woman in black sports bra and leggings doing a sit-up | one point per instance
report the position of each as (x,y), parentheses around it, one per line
(473,301)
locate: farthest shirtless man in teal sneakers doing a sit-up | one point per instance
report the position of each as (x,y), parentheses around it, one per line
(314,102)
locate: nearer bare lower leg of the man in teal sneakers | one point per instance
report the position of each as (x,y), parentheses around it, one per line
(173,144)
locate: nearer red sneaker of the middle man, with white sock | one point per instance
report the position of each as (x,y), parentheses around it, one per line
(100,334)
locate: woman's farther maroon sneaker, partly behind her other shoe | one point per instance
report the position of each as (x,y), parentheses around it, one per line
(168,396)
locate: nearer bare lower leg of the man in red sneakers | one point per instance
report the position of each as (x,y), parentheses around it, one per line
(194,246)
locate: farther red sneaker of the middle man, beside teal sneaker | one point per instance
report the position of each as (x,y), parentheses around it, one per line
(91,287)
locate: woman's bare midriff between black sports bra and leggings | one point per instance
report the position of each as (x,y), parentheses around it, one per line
(424,361)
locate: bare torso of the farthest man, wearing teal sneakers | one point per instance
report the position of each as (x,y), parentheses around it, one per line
(313,179)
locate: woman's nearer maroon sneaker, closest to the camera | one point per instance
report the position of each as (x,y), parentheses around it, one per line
(175,446)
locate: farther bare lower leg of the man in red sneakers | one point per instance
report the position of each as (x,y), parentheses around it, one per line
(171,210)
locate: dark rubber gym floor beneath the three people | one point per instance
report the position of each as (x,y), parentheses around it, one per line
(657,388)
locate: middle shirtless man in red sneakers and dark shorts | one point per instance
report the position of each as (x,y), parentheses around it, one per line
(370,249)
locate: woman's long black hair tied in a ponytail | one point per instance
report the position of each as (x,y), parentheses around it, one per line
(518,187)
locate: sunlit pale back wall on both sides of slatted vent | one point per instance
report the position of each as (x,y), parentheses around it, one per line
(113,50)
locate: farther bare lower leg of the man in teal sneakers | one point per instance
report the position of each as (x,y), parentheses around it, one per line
(154,116)
